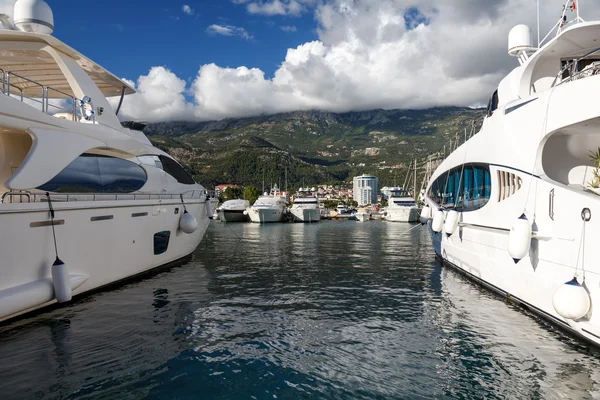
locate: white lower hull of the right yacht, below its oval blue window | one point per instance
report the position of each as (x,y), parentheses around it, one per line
(479,248)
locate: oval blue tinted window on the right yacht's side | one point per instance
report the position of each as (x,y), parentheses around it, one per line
(465,188)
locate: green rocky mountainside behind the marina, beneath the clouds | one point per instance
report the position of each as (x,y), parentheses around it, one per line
(314,147)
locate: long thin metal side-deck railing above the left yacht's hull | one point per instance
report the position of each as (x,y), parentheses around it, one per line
(38,197)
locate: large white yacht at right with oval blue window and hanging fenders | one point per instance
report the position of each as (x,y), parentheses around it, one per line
(516,207)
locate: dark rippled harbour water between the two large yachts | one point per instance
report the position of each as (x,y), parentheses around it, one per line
(334,310)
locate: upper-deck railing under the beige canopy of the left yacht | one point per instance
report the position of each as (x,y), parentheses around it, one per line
(49,99)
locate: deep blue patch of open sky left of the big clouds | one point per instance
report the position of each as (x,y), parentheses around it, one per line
(128,37)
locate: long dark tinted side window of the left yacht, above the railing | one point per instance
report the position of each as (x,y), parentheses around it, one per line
(98,174)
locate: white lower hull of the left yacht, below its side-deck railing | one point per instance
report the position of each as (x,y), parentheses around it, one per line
(100,243)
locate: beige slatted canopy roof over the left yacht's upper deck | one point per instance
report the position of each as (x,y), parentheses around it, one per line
(39,66)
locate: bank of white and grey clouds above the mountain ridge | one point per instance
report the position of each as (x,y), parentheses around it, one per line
(369,54)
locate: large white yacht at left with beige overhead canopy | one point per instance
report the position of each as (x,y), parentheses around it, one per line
(85,200)
